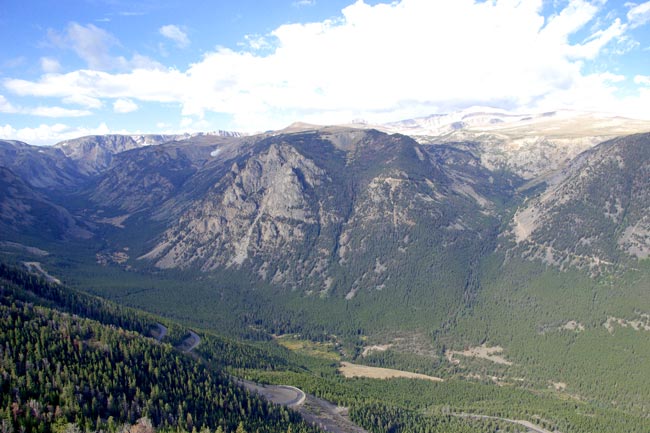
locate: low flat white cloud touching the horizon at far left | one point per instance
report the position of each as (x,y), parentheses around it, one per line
(50,134)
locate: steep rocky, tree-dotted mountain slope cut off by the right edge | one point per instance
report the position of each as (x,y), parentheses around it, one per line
(598,214)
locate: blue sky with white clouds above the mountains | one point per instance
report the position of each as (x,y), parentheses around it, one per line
(74,68)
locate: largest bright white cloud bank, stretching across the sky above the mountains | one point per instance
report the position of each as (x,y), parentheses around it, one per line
(380,63)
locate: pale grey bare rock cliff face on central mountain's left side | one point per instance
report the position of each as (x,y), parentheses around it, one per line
(255,211)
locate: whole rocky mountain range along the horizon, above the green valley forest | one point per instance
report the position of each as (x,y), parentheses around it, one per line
(226,200)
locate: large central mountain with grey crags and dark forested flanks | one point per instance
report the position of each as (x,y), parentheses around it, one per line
(335,210)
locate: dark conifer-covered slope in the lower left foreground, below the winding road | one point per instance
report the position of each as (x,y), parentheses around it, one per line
(99,369)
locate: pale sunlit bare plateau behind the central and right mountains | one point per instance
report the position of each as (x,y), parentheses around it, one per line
(530,145)
